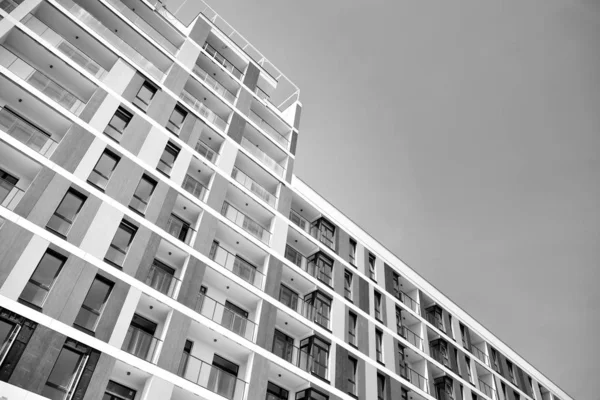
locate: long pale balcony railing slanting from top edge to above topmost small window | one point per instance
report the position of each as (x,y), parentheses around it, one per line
(91,22)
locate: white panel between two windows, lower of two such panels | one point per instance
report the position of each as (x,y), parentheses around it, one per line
(101,231)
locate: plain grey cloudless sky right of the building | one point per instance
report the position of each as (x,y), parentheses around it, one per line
(465,136)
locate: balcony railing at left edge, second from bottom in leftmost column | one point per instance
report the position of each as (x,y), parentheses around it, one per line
(27,133)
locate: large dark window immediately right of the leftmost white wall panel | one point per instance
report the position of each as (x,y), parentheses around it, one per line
(39,285)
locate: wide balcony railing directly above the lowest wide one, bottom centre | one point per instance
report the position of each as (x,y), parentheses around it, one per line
(227,318)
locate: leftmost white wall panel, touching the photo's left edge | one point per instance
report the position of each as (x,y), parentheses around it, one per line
(23,269)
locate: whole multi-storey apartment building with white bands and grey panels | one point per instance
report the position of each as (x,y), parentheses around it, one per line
(155,244)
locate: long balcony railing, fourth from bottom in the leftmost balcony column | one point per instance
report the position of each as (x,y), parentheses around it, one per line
(58,42)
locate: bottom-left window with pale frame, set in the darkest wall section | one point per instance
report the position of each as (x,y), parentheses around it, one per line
(66,371)
